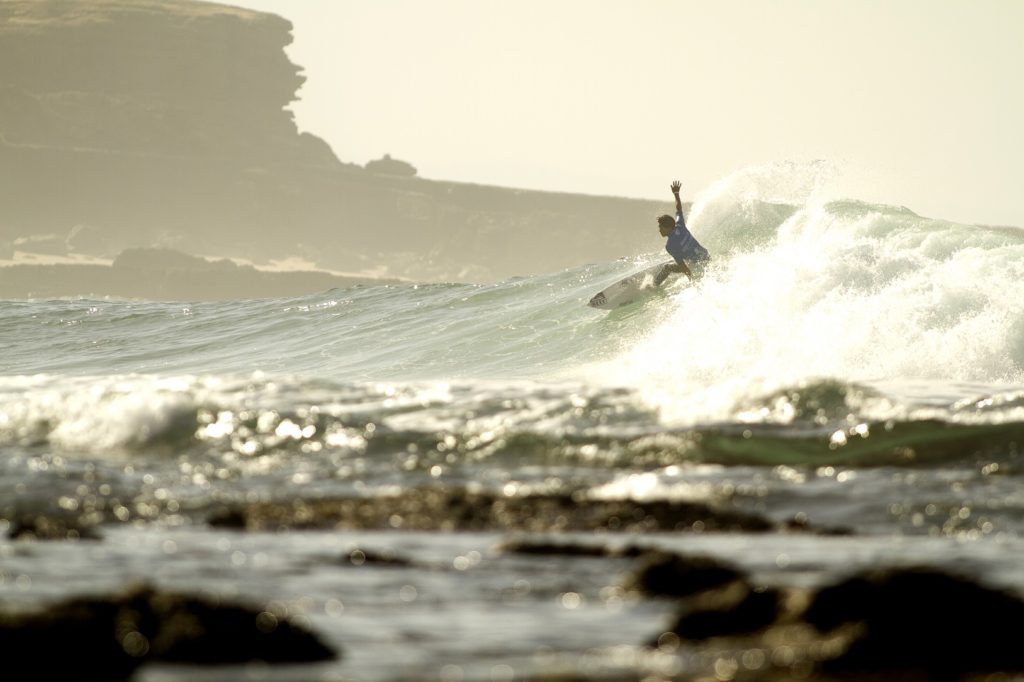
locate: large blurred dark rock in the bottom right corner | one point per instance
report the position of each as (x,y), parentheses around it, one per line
(884,625)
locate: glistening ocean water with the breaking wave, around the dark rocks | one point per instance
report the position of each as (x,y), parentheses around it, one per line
(852,366)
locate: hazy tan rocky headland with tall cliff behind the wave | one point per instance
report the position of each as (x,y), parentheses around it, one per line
(162,124)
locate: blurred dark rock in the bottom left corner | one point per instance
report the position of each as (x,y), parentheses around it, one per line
(108,638)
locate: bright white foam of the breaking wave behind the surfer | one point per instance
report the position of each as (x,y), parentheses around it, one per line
(843,290)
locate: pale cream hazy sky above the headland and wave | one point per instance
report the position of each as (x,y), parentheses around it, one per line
(917,103)
